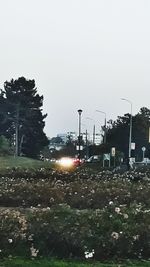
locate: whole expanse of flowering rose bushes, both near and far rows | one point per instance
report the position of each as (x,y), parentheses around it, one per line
(80,214)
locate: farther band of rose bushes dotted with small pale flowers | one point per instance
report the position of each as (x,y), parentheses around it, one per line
(78,189)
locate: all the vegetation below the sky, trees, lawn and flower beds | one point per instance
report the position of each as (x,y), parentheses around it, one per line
(87,216)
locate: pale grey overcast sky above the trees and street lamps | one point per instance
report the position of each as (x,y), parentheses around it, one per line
(82,54)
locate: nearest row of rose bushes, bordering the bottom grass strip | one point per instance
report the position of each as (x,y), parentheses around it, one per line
(66,232)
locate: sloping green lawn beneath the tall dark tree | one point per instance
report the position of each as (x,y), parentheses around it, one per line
(21,162)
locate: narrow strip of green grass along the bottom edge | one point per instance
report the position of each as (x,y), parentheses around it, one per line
(60,263)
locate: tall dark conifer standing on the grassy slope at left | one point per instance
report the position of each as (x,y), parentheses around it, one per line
(22,114)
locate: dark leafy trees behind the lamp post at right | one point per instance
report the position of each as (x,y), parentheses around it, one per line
(118,132)
